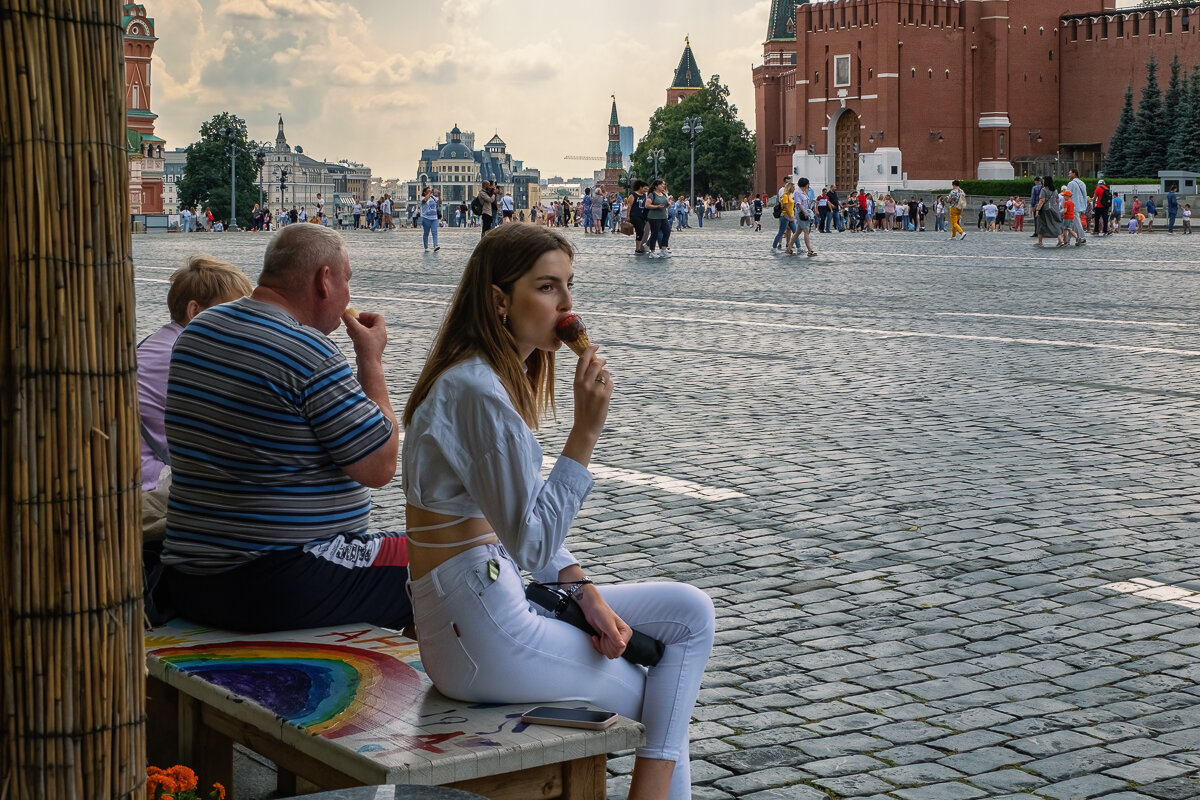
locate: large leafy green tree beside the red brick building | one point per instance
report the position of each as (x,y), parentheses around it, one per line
(725,151)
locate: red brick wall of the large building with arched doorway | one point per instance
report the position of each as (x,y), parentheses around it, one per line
(1033,68)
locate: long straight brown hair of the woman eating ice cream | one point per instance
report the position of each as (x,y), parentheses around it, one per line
(473,328)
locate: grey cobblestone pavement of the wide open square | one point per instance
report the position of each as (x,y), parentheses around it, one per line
(943,494)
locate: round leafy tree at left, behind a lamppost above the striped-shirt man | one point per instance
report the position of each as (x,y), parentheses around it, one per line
(206,182)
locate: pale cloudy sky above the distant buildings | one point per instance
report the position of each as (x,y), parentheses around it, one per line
(377,81)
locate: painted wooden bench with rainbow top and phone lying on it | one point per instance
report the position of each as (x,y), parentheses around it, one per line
(337,708)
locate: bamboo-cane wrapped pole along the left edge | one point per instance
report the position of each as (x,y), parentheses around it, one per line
(73,707)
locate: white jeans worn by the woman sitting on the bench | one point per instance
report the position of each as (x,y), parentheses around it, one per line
(483,642)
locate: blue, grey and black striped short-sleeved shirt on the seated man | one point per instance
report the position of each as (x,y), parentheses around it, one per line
(262,414)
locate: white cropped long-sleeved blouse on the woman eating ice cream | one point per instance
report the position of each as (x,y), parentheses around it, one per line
(469,454)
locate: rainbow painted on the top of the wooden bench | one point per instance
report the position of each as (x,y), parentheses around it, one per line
(323,689)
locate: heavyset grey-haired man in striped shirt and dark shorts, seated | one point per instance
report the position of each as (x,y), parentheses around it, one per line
(275,446)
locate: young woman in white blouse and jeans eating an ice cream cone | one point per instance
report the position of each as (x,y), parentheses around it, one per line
(479,513)
